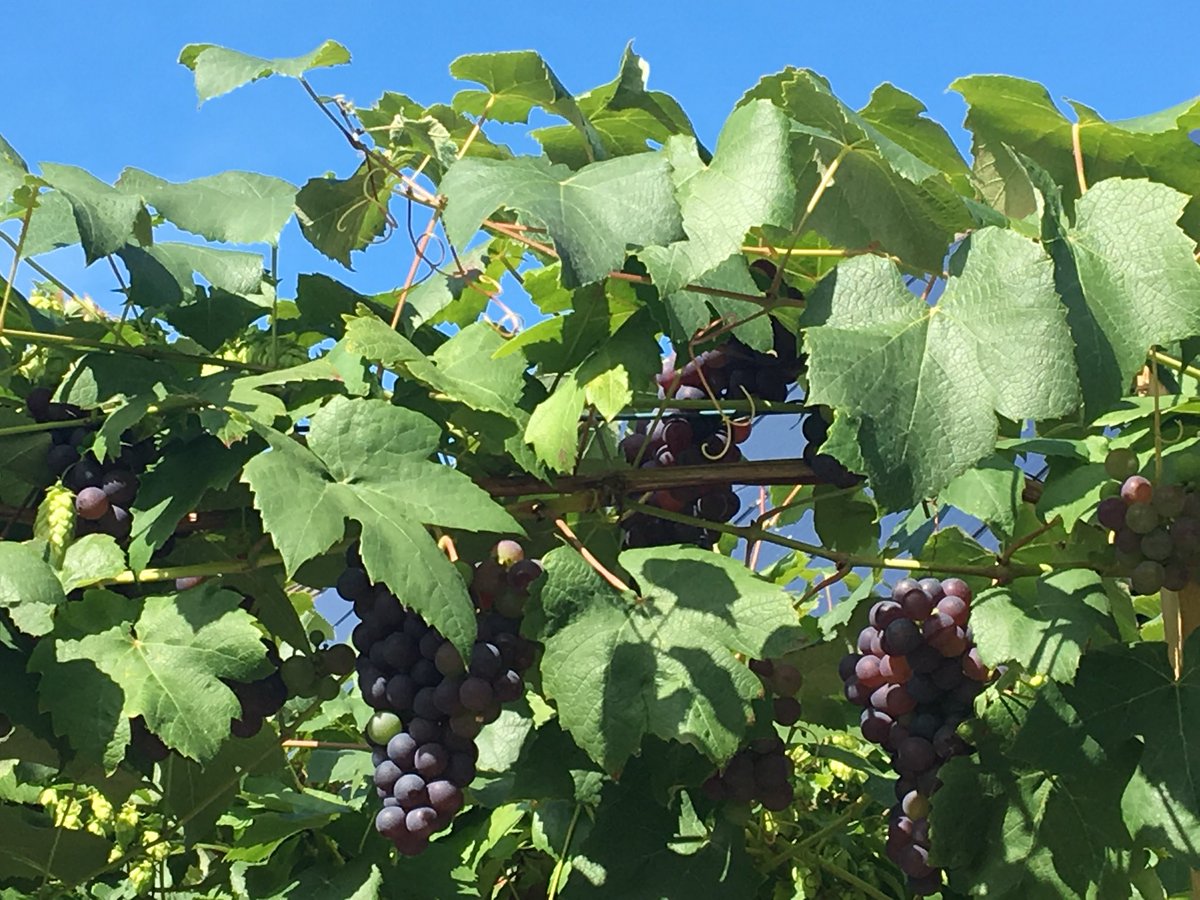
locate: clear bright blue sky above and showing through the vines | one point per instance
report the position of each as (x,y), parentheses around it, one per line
(99,86)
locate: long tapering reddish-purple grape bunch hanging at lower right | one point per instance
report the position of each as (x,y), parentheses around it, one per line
(917,673)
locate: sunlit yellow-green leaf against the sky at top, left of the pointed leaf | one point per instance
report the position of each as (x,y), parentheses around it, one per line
(517,82)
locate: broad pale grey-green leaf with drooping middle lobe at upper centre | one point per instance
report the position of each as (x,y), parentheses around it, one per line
(593,215)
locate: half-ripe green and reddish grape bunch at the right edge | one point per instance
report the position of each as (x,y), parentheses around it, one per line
(1156,529)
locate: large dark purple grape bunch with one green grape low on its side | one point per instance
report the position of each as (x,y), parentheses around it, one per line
(431,704)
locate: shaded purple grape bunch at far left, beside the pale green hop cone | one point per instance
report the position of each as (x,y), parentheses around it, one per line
(104,491)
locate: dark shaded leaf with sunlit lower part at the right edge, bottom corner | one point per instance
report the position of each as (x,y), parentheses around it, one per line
(1132,691)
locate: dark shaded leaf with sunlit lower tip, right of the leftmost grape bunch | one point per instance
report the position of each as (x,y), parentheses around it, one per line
(173,488)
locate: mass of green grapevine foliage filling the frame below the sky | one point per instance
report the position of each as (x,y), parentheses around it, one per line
(977,335)
